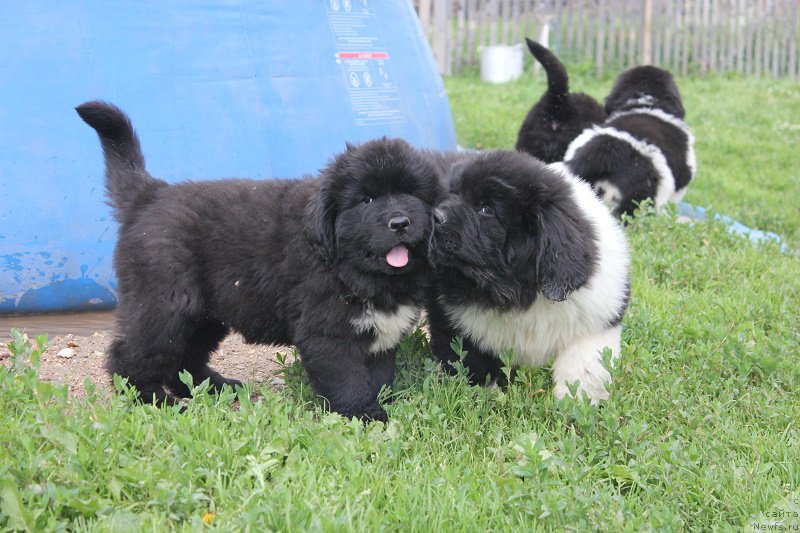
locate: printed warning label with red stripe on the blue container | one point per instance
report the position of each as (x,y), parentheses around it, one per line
(365,63)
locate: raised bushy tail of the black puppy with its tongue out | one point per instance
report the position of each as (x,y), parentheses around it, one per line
(126,178)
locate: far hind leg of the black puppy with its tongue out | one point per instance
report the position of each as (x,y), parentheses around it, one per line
(201,343)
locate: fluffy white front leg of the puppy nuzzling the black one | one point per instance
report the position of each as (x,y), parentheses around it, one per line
(582,362)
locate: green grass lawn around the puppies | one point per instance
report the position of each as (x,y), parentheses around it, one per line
(701,431)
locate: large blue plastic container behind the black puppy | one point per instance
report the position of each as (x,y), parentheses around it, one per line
(245,88)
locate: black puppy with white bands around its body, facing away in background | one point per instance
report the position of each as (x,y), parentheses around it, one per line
(644,149)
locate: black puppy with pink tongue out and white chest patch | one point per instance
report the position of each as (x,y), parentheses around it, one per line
(336,265)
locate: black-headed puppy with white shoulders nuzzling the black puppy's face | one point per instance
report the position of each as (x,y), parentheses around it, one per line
(527,258)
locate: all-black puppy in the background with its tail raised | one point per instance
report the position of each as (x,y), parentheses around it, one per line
(559,116)
